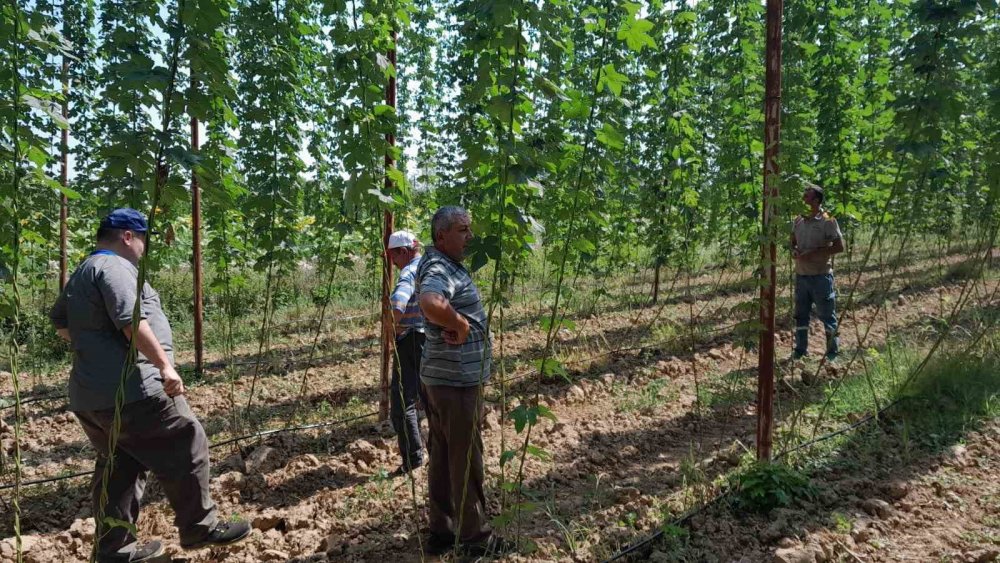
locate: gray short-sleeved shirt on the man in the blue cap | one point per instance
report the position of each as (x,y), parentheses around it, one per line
(95,305)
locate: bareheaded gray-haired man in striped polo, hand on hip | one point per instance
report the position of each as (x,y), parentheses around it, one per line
(455,366)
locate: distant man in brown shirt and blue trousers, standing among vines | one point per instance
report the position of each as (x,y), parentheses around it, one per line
(816,238)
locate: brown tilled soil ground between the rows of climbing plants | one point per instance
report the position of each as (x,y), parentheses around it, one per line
(636,443)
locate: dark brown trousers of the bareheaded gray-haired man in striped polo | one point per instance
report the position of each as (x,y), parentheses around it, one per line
(456,450)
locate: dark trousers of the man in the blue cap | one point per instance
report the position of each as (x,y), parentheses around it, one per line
(161,435)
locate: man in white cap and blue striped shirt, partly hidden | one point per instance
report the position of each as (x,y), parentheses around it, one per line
(404,252)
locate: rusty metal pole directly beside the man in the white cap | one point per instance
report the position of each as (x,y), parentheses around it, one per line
(388,325)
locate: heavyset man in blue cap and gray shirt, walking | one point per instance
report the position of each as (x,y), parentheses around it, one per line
(159,432)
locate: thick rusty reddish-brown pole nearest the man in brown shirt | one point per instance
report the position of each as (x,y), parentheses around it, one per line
(772,134)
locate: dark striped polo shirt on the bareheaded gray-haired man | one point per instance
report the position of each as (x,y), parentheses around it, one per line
(444,364)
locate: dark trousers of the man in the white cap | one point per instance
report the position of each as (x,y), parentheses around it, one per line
(403,392)
